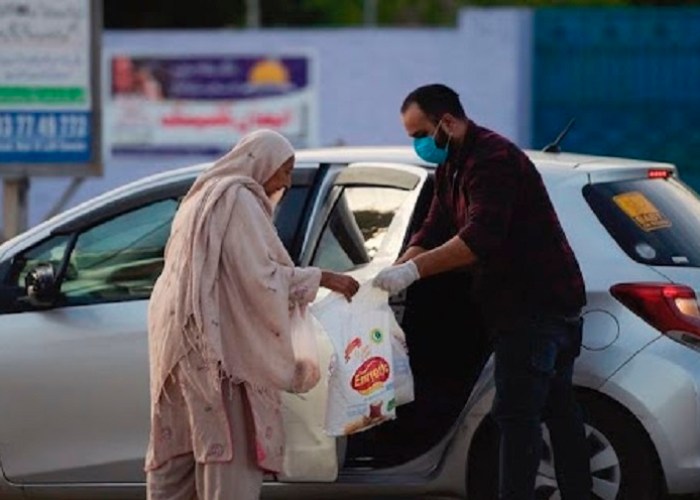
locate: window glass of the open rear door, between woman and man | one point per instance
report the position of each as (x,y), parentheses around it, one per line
(356,226)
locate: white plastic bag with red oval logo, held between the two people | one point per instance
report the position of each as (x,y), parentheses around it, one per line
(361,385)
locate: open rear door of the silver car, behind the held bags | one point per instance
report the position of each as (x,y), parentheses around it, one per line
(358,226)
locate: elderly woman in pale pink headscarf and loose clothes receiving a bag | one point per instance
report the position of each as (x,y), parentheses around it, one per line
(219,330)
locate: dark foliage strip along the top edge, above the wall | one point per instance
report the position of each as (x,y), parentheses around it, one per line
(212,14)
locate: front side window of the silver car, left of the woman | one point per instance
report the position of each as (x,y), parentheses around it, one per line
(119,259)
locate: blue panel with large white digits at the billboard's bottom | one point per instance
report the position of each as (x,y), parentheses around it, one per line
(45,137)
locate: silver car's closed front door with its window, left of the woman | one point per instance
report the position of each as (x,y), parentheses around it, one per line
(74,377)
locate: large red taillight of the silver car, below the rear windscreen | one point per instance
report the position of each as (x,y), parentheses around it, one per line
(671,309)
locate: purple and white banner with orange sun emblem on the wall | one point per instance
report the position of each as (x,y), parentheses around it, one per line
(202,104)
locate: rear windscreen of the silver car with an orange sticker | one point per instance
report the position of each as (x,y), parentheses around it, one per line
(655,221)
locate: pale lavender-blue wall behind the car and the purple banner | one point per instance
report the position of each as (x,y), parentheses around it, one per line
(363,76)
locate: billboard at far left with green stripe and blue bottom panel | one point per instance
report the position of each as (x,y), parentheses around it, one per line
(46,59)
